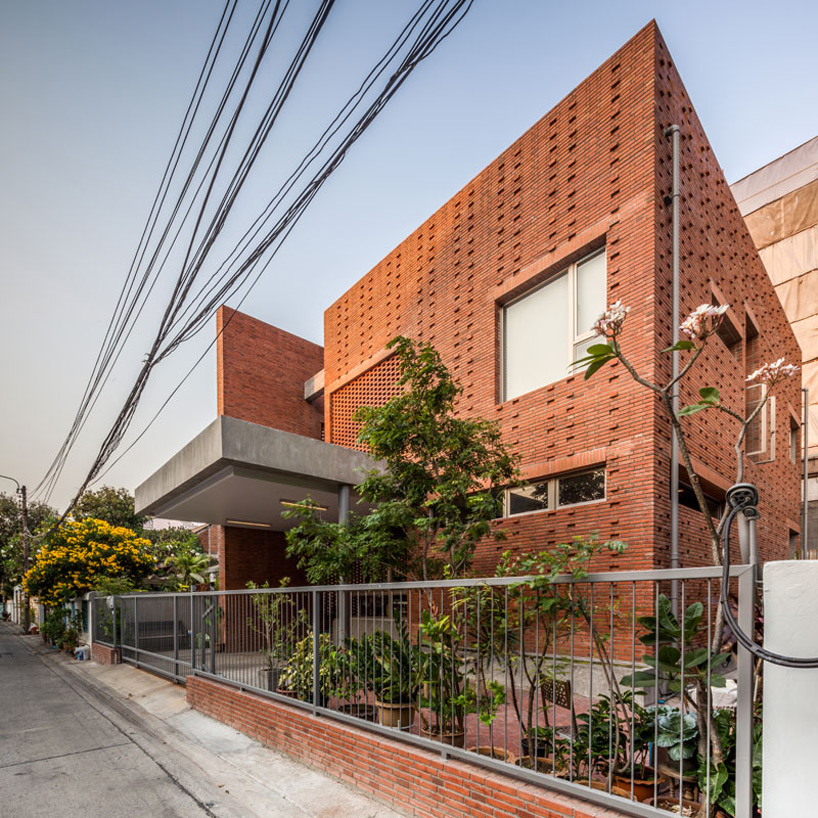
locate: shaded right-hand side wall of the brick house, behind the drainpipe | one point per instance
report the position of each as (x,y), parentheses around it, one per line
(716,249)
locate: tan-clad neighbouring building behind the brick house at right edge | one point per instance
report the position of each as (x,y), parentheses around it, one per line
(779,203)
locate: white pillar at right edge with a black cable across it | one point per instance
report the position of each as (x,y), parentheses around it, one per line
(790,695)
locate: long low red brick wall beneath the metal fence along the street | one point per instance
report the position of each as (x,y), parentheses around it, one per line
(406,777)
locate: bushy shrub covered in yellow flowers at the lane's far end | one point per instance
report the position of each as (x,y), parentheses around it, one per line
(81,552)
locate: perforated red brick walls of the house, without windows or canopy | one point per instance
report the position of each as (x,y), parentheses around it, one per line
(592,173)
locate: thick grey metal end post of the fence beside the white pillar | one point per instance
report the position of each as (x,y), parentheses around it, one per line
(744,706)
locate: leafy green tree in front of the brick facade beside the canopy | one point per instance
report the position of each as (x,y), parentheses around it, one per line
(438,491)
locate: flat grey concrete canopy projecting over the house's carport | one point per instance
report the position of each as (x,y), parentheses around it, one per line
(235,472)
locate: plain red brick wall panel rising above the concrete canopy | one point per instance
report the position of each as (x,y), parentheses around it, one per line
(261,372)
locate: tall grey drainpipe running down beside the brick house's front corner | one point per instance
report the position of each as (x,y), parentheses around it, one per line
(673,133)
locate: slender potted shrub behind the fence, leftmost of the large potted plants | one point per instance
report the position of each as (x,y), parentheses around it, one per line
(277,623)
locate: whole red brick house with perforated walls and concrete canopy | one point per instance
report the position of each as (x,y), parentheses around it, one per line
(505,280)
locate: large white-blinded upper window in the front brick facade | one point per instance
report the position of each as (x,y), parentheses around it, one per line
(547,329)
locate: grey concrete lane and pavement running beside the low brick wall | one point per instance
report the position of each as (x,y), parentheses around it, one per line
(196,765)
